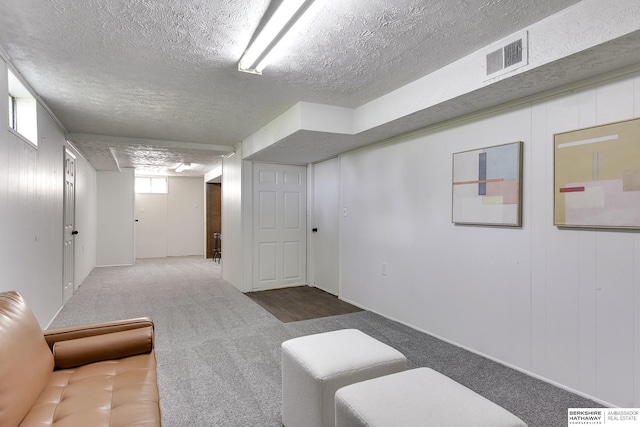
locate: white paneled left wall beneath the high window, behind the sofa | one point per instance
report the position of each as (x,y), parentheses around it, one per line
(31,207)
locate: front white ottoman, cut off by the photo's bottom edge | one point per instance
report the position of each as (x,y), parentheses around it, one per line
(418,397)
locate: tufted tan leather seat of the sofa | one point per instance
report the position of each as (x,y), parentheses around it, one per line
(114,393)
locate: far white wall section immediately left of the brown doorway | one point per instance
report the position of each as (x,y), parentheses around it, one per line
(185,216)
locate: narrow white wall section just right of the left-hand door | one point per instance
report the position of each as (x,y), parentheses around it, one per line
(115,204)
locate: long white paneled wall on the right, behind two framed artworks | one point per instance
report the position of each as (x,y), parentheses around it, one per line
(561,304)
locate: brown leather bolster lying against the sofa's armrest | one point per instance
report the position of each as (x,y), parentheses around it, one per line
(81,351)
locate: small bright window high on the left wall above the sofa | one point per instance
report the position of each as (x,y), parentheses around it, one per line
(22,110)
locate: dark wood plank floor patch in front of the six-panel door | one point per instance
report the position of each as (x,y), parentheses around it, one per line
(301,303)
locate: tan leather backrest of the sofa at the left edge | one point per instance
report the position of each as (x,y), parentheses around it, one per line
(26,363)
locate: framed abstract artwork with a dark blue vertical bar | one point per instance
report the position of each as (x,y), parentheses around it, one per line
(487,186)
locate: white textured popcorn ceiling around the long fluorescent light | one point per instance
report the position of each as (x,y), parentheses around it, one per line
(166,70)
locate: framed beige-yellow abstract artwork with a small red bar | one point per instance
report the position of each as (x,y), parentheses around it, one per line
(597,176)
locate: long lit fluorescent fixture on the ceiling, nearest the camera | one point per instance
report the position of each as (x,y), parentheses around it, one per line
(256,56)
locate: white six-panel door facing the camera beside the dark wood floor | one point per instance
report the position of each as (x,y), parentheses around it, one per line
(279,226)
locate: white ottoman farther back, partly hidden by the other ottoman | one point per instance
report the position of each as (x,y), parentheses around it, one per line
(315,366)
